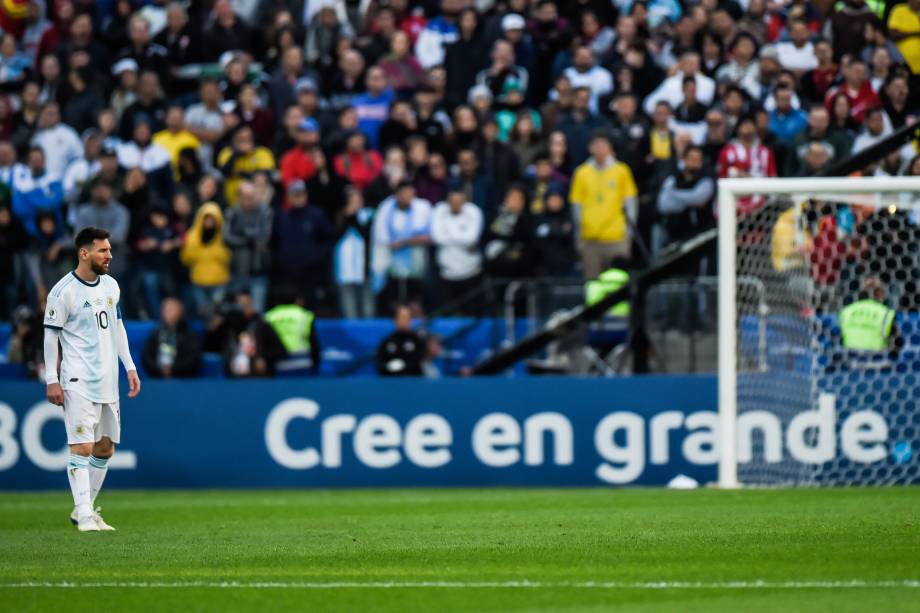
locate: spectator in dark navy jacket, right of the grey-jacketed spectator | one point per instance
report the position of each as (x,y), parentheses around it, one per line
(304,239)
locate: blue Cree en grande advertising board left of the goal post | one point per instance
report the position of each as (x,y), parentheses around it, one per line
(345,433)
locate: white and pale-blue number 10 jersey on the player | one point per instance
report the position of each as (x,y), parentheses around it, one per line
(87,314)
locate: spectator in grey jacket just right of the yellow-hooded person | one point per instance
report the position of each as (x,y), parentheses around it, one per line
(247,232)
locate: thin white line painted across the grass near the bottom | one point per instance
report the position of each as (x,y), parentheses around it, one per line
(625,585)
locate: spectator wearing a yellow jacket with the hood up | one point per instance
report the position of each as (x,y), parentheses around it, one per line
(207,258)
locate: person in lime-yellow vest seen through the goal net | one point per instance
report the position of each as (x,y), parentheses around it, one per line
(867,325)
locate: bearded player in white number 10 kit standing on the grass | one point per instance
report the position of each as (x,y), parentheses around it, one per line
(83,315)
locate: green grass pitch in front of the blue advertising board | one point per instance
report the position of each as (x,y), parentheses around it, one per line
(851,549)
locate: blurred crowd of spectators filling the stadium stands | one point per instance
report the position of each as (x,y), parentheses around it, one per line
(362,153)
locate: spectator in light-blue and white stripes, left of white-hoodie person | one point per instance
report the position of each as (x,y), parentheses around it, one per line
(401,235)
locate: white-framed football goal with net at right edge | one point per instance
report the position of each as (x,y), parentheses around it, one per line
(819,331)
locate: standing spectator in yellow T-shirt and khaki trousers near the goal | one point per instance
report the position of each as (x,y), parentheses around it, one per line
(603,196)
